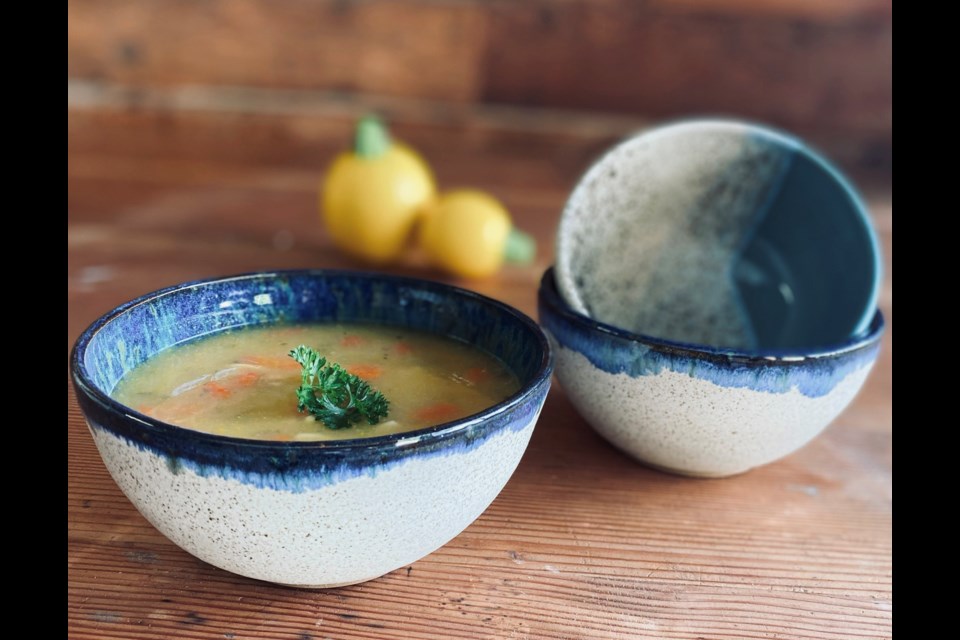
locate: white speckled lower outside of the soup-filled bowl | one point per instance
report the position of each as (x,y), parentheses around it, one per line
(351,531)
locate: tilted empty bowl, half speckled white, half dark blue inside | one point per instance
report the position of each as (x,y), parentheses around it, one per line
(720,233)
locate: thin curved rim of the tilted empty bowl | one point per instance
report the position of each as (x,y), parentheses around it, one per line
(736,126)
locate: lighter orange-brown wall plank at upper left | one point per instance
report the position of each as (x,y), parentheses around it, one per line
(383,47)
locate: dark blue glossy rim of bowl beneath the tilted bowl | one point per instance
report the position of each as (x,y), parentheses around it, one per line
(550,295)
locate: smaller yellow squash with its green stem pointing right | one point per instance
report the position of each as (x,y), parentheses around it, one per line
(470,234)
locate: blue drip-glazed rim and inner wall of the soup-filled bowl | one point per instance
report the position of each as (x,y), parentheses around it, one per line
(132,333)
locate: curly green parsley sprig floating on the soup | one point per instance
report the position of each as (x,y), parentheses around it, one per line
(335,397)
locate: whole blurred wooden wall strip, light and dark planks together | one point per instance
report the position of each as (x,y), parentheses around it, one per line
(793,63)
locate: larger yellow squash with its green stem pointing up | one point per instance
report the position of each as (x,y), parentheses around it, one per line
(371,196)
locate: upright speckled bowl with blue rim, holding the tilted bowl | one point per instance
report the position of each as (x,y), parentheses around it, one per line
(697,410)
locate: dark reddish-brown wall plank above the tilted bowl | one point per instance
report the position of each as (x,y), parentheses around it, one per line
(662,60)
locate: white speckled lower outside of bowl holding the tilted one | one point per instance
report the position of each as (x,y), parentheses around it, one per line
(680,424)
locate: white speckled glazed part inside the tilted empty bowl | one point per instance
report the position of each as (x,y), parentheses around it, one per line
(638,247)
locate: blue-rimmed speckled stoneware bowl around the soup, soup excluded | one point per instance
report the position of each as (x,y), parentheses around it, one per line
(309,514)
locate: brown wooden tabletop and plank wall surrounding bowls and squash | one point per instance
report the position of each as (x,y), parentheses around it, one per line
(197,135)
